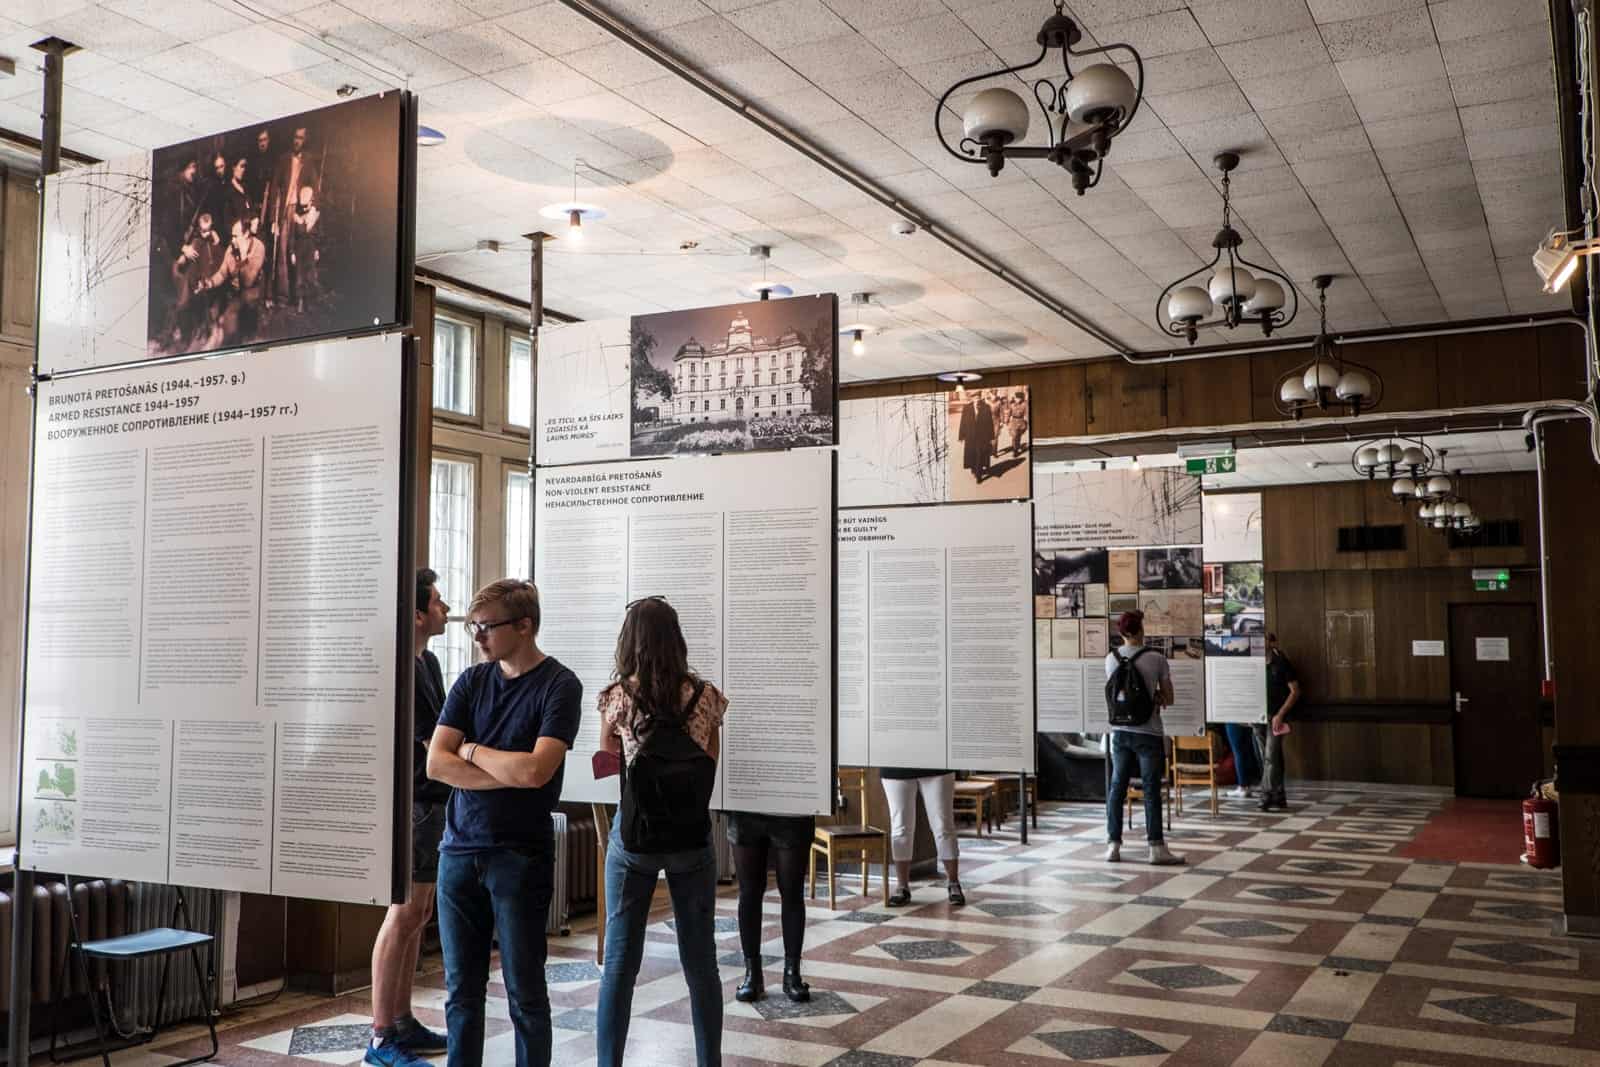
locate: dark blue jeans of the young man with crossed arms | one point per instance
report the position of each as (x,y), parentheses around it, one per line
(484,898)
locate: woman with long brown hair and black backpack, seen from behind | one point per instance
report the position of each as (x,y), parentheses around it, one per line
(662,725)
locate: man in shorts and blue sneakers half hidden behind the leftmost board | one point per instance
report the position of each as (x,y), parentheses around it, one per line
(399,1041)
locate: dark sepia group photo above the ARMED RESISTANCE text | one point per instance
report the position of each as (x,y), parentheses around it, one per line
(306,212)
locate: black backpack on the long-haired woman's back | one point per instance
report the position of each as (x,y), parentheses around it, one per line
(666,793)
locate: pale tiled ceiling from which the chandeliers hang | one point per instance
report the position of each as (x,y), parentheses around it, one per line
(1409,148)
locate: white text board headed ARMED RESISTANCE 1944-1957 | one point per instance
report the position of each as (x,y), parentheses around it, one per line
(212,653)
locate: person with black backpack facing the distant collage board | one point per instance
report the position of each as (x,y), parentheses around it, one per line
(1138,687)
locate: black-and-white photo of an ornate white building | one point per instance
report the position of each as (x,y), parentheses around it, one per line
(735,378)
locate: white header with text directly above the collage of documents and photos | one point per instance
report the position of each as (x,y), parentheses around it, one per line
(1119,508)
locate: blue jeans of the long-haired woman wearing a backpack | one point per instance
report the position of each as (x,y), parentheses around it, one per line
(630,889)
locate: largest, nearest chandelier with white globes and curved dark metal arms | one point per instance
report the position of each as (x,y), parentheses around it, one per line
(1084,111)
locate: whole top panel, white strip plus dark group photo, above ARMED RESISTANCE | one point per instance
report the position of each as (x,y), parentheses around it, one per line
(281,231)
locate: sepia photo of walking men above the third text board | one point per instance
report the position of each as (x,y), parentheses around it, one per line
(990,446)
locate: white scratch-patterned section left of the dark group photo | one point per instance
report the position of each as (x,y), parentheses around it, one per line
(95,268)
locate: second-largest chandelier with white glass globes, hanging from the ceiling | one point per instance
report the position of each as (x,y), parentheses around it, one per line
(1238,294)
